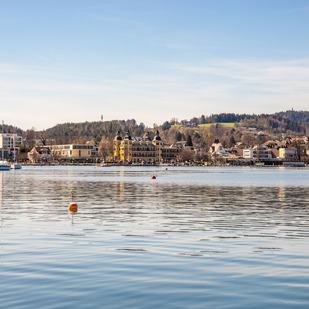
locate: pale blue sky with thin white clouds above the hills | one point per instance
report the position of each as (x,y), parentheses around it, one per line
(151,60)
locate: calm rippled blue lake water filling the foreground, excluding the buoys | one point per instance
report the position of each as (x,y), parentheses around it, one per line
(209,237)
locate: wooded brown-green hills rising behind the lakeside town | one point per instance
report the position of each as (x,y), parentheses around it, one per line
(290,123)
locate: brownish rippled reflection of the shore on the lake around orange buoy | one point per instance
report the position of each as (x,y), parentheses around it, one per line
(173,207)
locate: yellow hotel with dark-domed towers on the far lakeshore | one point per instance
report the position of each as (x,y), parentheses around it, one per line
(146,151)
